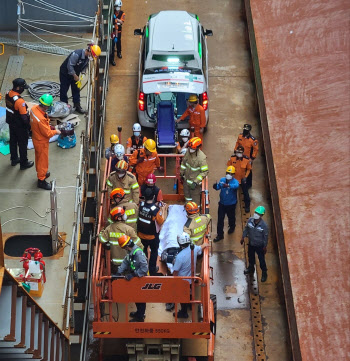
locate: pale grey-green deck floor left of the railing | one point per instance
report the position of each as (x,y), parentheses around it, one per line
(19,188)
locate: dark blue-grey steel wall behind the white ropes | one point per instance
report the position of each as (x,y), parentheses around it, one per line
(8,12)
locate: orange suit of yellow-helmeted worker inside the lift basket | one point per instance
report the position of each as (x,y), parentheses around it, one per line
(146,167)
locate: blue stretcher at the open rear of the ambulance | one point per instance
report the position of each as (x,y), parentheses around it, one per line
(166,135)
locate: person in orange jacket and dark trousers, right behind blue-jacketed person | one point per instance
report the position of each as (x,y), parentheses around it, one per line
(243,166)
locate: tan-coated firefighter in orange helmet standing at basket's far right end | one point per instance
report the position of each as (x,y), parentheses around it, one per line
(193,169)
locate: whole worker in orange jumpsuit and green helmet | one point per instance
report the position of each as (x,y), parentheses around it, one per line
(41,133)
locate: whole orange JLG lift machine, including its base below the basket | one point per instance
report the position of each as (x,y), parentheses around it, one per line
(161,336)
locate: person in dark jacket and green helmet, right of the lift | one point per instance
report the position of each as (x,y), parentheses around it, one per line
(257,232)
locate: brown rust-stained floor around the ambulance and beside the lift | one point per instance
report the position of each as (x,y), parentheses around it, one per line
(231,104)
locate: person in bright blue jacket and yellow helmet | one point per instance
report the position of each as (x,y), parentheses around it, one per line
(228,186)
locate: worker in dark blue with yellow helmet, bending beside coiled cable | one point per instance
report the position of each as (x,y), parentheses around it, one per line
(75,64)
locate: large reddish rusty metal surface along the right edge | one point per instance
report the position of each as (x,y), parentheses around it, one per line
(302,60)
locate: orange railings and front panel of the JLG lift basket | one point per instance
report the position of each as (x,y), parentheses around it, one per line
(108,291)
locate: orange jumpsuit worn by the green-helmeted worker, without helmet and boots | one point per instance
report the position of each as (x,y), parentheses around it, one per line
(41,133)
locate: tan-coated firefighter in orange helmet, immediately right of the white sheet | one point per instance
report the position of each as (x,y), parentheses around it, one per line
(196,224)
